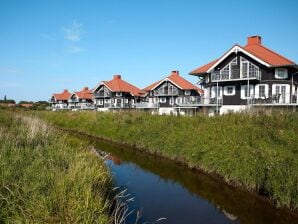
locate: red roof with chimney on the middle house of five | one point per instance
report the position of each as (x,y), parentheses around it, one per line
(119,85)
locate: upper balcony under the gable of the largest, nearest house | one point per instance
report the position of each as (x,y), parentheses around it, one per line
(235,75)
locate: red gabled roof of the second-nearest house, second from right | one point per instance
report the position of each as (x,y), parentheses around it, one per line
(177,80)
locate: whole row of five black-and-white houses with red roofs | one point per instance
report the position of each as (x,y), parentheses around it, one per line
(244,77)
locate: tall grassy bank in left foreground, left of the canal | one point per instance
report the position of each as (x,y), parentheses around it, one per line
(46,178)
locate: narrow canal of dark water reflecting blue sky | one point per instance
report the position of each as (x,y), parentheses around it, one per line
(164,189)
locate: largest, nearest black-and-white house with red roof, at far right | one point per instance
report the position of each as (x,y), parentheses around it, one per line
(249,76)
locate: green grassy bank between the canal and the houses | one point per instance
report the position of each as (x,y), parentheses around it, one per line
(259,153)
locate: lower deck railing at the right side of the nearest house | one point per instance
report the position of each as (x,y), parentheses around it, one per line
(276,99)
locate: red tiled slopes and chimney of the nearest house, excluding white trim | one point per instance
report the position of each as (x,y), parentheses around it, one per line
(254,46)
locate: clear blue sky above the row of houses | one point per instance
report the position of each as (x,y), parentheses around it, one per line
(47,46)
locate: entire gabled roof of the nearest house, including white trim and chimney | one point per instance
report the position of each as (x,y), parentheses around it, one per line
(254,49)
